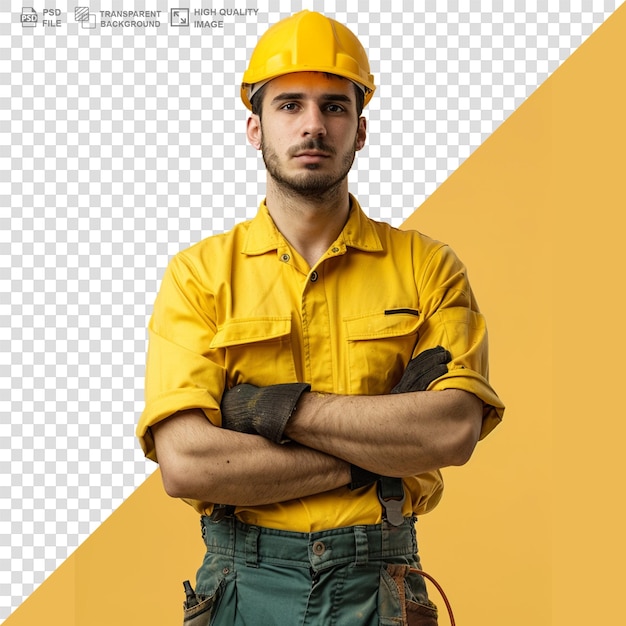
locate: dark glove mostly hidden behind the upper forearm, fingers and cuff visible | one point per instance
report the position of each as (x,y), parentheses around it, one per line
(419,373)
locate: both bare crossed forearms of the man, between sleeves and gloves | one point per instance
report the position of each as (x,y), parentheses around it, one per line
(396,435)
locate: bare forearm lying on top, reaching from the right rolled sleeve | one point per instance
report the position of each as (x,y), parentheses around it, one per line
(394,435)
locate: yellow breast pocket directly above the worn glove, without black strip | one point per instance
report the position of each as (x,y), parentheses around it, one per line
(257,350)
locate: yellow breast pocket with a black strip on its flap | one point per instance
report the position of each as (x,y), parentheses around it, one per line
(379,347)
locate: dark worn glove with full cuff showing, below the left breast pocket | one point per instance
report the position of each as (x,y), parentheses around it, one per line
(261,410)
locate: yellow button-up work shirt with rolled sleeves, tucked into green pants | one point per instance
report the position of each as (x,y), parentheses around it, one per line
(244,307)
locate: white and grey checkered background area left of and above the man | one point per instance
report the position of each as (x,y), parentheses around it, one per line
(119,147)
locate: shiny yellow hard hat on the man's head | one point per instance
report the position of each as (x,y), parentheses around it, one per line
(308,42)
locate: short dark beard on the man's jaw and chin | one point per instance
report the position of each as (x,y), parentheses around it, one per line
(310,183)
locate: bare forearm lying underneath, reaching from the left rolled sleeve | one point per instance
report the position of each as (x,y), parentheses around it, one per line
(202,462)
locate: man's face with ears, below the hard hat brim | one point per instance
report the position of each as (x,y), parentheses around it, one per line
(309,131)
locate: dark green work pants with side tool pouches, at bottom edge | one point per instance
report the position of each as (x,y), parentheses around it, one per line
(354,576)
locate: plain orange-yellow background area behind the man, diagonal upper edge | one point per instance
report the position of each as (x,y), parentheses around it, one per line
(527,533)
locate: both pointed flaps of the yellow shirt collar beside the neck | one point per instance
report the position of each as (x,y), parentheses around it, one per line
(359,232)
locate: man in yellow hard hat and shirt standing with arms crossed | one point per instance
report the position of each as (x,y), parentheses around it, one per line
(311,371)
